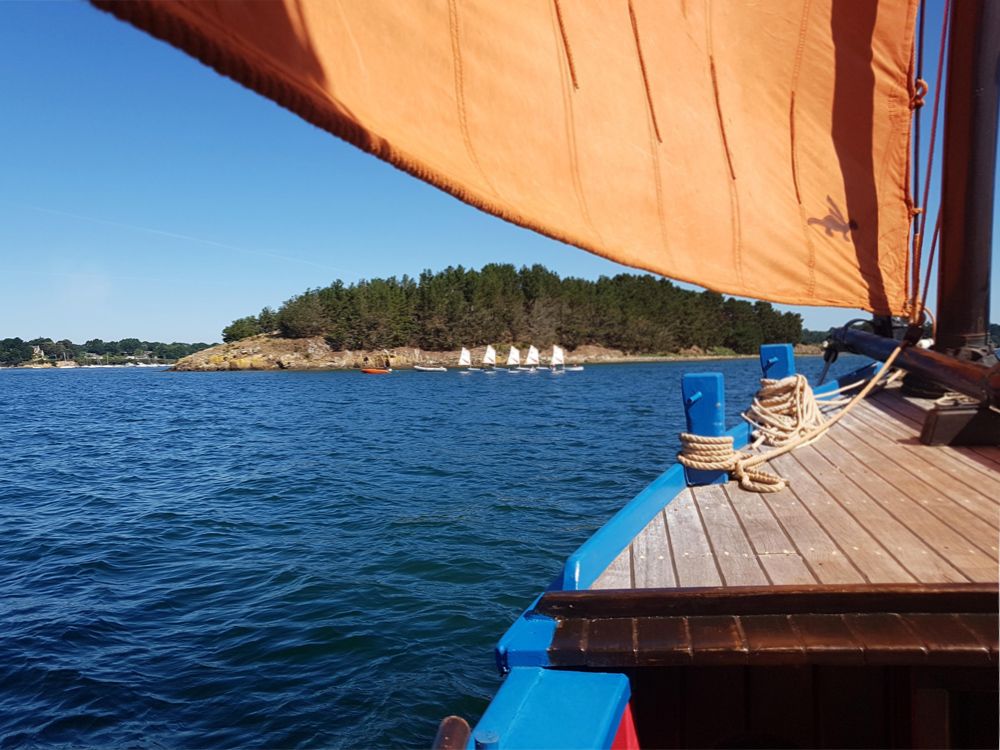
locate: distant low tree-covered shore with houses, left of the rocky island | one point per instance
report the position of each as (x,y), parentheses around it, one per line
(15,351)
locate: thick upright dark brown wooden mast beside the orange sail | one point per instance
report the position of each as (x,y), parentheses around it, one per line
(968,182)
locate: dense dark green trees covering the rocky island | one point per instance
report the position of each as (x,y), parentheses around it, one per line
(500,303)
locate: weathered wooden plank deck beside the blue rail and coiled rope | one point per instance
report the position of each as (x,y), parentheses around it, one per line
(868,503)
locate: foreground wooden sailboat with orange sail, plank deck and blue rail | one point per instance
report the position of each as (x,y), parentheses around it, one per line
(856,607)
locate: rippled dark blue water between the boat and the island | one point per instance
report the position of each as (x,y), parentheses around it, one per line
(297,559)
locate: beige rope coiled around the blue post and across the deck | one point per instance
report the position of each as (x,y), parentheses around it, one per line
(786,414)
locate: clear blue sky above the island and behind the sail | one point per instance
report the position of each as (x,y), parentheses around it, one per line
(142,195)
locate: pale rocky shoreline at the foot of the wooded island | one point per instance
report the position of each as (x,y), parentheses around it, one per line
(271,352)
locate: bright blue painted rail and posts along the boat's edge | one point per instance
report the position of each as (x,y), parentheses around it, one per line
(539,707)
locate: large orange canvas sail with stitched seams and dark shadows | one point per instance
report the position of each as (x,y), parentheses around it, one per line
(754,148)
